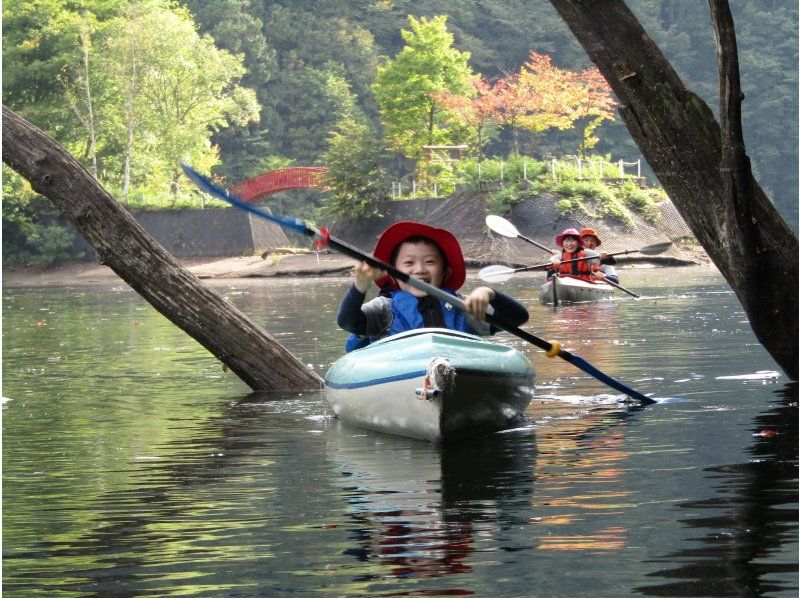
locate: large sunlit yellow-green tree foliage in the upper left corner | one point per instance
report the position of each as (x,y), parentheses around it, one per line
(131,89)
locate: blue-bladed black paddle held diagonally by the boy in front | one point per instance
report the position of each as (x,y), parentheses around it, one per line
(323,238)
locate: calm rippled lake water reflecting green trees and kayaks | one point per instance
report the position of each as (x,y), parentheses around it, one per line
(133,464)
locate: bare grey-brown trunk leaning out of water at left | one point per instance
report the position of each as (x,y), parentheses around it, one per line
(123,245)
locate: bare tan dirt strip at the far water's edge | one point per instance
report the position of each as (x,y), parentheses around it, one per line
(272,266)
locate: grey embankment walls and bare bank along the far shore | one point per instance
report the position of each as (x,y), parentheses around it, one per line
(248,247)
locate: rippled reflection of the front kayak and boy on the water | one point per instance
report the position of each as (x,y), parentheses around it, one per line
(418,510)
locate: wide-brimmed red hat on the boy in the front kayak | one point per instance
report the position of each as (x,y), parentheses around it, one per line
(400,231)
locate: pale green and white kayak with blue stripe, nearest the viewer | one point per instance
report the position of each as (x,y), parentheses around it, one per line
(431,383)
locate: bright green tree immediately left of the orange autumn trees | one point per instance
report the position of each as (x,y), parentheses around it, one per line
(406,88)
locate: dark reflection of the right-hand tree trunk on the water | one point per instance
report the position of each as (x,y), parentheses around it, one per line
(752,516)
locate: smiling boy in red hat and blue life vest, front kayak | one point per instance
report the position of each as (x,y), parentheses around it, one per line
(434,256)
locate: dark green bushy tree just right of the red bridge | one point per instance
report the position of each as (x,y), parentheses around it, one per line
(355,175)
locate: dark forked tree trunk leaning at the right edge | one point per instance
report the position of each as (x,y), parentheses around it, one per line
(702,166)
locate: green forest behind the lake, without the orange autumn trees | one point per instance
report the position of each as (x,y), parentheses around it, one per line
(242,87)
